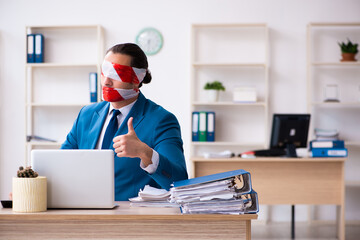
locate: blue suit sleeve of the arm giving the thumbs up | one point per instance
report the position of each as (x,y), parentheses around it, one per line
(168,143)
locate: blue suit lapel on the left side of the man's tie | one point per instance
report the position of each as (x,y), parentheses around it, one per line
(96,125)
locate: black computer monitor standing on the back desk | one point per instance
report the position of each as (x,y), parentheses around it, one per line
(289,131)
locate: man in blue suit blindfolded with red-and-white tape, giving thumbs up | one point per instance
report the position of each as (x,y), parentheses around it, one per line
(148,143)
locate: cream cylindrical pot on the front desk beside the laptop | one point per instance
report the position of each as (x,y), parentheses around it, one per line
(29,194)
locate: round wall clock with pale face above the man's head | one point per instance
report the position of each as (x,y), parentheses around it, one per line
(150,40)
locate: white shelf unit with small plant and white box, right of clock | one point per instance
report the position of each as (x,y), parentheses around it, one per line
(237,56)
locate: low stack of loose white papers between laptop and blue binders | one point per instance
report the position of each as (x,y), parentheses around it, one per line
(152,197)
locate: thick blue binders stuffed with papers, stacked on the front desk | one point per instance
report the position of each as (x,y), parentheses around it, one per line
(222,193)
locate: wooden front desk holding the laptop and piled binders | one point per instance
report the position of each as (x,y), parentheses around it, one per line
(123,222)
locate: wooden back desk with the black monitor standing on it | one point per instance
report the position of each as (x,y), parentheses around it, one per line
(289,180)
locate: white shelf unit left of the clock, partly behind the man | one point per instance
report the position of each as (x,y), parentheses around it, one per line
(58,88)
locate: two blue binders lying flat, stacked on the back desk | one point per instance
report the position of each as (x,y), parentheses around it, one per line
(328,148)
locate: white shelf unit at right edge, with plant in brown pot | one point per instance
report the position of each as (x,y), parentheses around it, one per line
(324,67)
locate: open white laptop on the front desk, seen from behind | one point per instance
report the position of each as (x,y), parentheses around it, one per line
(76,178)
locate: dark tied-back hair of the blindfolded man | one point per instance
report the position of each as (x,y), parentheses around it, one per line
(138,57)
